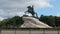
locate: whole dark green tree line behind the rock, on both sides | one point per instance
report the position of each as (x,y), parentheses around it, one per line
(16,21)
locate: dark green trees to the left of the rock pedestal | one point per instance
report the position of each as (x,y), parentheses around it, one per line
(14,22)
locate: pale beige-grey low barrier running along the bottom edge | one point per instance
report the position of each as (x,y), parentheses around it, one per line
(29,32)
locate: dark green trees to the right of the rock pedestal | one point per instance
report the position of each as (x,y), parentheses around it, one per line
(50,20)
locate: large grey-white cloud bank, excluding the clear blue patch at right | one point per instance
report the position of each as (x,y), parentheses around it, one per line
(10,8)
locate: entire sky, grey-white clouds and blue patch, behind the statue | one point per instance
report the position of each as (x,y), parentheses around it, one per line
(10,8)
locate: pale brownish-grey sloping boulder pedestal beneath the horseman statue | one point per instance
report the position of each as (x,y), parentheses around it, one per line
(30,22)
